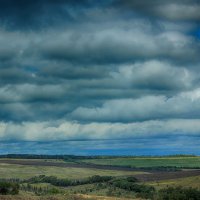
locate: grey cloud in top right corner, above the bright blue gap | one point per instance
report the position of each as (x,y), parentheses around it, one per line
(171,10)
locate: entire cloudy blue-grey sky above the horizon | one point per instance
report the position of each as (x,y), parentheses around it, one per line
(109,77)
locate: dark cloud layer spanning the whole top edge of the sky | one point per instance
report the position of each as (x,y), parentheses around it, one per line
(34,14)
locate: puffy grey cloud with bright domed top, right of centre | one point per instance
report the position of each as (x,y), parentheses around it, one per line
(154,75)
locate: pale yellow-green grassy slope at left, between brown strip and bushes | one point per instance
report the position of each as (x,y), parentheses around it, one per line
(23,172)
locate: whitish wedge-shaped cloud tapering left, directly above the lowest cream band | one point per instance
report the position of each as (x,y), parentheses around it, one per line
(183,105)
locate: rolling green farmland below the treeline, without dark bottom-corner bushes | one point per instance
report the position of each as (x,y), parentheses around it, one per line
(47,178)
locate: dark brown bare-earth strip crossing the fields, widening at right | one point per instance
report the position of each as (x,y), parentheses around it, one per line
(152,176)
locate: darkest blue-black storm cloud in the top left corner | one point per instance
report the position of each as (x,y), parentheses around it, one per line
(38,13)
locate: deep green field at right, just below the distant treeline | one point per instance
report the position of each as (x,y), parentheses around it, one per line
(143,162)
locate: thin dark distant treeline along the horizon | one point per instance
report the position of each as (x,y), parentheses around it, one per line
(68,157)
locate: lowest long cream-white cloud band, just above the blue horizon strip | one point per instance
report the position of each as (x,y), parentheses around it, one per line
(62,130)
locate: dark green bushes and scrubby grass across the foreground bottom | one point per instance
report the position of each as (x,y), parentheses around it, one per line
(116,187)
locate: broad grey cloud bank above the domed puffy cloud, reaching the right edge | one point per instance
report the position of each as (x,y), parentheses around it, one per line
(110,46)
